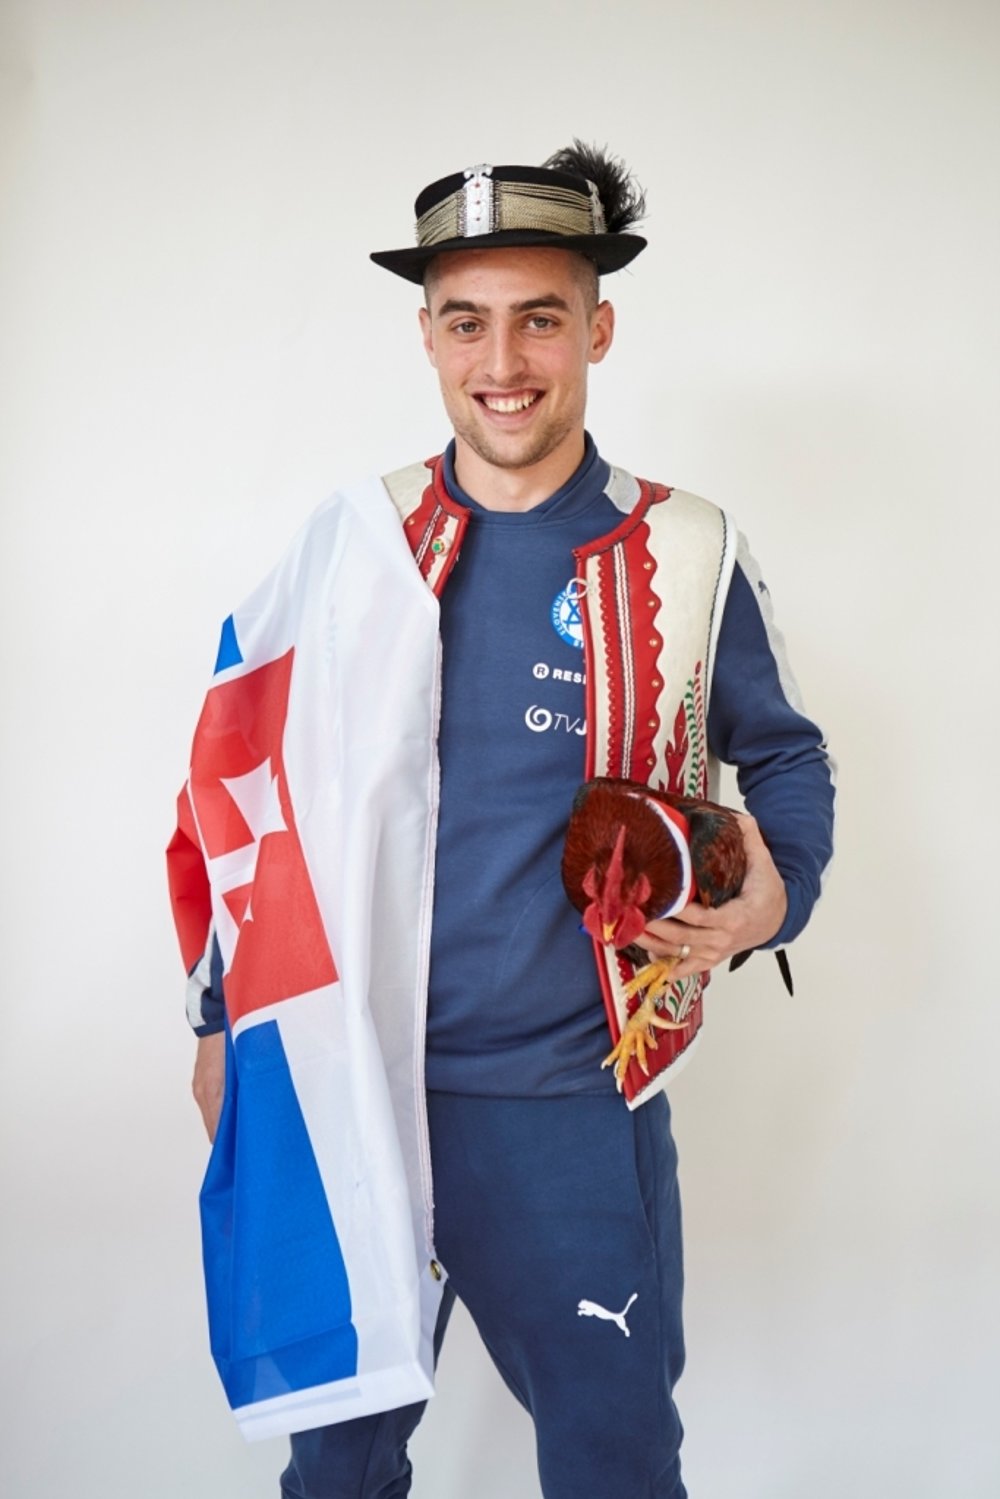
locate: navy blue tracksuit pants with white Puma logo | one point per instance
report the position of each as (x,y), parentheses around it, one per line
(558,1222)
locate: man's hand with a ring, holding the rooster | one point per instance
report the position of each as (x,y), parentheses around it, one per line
(747,921)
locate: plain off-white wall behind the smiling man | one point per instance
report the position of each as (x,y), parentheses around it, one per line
(196,350)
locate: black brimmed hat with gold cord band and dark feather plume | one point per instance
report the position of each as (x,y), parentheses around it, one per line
(581,200)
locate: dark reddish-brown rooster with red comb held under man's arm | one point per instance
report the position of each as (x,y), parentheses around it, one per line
(636,855)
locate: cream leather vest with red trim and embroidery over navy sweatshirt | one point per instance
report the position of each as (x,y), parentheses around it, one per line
(653,596)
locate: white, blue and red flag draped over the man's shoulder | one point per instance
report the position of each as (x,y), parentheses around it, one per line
(308,815)
